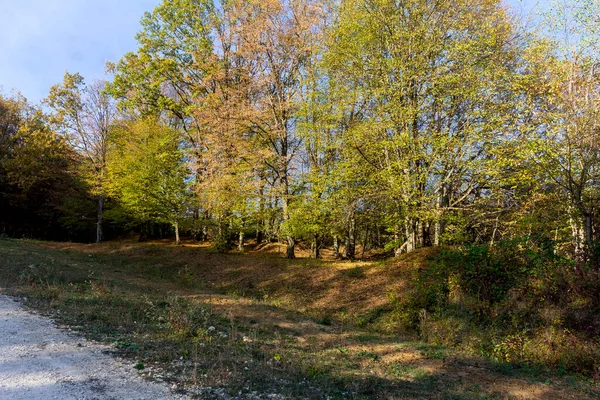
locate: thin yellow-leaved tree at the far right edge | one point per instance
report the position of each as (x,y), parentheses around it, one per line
(571,127)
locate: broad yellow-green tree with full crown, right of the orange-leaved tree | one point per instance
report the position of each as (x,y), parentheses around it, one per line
(435,78)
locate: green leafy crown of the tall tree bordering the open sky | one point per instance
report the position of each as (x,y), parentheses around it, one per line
(174,43)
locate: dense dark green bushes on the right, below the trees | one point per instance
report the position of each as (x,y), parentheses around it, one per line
(515,302)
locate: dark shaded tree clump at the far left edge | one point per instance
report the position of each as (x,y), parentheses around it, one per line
(40,188)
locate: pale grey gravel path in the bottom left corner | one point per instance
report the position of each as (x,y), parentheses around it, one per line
(39,361)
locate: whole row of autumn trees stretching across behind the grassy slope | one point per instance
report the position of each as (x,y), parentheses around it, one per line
(365,124)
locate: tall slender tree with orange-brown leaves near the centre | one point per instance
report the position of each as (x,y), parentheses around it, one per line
(278,37)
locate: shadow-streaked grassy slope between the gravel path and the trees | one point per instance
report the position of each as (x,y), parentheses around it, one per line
(255,325)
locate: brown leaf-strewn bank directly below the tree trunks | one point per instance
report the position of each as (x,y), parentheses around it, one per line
(323,287)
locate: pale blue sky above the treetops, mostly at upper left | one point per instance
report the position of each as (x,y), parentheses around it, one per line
(42,39)
